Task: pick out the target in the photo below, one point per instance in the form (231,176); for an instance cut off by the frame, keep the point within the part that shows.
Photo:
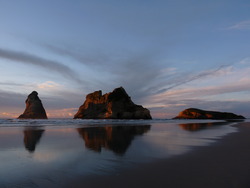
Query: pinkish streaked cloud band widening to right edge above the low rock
(226,80)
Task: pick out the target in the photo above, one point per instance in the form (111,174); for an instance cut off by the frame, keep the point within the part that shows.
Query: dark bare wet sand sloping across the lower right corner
(224,164)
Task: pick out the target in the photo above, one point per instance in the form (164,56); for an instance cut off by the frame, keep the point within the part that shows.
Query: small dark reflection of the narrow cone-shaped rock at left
(31,138)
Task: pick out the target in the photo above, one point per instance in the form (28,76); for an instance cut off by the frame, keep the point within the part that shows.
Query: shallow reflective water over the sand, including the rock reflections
(43,153)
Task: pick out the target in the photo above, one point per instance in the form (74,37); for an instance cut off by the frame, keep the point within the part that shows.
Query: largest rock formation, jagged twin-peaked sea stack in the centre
(113,105)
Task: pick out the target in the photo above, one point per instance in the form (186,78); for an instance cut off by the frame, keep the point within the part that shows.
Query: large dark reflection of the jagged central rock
(115,138)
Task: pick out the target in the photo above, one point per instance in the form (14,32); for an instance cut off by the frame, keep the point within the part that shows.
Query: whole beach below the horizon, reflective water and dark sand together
(135,154)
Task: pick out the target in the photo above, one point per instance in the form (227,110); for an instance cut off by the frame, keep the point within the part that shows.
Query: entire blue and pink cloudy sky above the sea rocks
(169,55)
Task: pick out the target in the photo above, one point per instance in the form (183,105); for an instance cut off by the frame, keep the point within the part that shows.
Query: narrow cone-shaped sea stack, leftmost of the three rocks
(34,108)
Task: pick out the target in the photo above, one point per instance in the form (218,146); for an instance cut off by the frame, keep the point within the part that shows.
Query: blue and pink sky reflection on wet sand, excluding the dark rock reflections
(61,153)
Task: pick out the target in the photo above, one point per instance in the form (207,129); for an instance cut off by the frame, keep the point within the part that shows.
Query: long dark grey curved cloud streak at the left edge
(50,65)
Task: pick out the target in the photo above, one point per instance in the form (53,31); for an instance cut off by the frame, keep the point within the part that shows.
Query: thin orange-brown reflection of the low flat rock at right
(199,126)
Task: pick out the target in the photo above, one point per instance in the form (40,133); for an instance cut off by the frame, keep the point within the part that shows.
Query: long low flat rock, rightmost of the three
(194,113)
